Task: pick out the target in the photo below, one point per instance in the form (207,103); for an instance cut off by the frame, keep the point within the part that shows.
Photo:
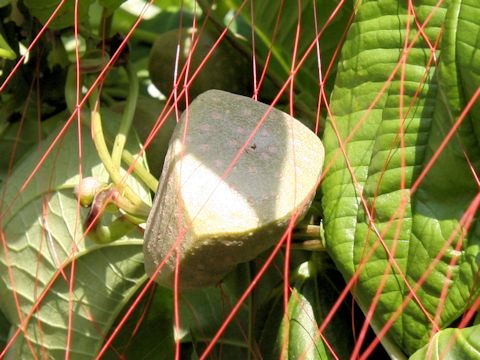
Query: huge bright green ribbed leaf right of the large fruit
(432,214)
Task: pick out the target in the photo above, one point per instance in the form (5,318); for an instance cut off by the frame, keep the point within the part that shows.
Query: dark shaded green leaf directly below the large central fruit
(202,312)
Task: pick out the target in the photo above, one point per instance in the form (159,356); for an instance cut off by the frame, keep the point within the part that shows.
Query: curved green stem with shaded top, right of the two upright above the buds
(127,116)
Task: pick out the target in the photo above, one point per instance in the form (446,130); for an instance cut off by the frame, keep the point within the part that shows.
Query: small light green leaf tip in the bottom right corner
(452,344)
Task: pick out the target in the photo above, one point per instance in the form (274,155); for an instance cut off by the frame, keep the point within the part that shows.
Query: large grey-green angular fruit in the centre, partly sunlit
(219,220)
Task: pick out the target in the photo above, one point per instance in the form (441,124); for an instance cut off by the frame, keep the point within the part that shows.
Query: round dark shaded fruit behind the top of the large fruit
(226,69)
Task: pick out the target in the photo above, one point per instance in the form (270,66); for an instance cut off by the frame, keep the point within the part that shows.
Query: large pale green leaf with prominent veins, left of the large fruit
(41,228)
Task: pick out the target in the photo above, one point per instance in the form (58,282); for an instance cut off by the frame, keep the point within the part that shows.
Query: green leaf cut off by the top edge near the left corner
(43,10)
